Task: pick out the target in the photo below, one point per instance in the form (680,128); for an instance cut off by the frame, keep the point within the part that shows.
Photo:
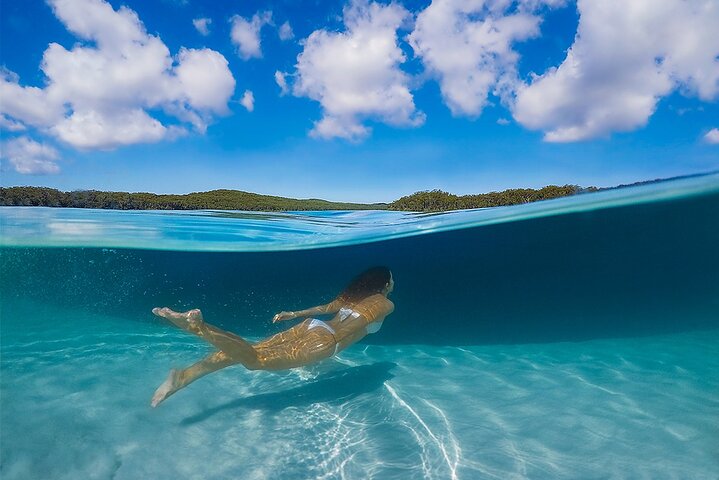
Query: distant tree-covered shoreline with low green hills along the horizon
(423,201)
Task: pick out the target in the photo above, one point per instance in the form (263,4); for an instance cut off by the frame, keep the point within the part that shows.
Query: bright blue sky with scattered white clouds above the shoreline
(379,99)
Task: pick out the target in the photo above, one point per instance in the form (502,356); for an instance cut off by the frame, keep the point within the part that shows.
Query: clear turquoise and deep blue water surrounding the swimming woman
(573,338)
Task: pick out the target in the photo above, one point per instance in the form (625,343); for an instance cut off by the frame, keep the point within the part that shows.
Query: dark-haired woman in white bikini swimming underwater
(359,310)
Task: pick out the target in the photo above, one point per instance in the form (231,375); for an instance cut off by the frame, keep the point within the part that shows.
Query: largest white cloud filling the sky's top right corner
(625,57)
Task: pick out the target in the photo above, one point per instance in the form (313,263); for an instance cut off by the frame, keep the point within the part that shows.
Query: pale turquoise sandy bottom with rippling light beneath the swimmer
(75,405)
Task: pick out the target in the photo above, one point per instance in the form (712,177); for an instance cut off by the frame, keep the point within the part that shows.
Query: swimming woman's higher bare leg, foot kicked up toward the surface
(236,347)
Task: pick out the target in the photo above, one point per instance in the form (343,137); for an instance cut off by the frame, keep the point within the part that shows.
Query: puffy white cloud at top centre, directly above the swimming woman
(355,74)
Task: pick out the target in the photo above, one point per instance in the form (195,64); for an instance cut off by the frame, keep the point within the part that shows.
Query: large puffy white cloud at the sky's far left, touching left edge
(104,91)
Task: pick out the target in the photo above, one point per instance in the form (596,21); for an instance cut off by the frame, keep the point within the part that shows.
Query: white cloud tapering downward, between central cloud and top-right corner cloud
(467,46)
